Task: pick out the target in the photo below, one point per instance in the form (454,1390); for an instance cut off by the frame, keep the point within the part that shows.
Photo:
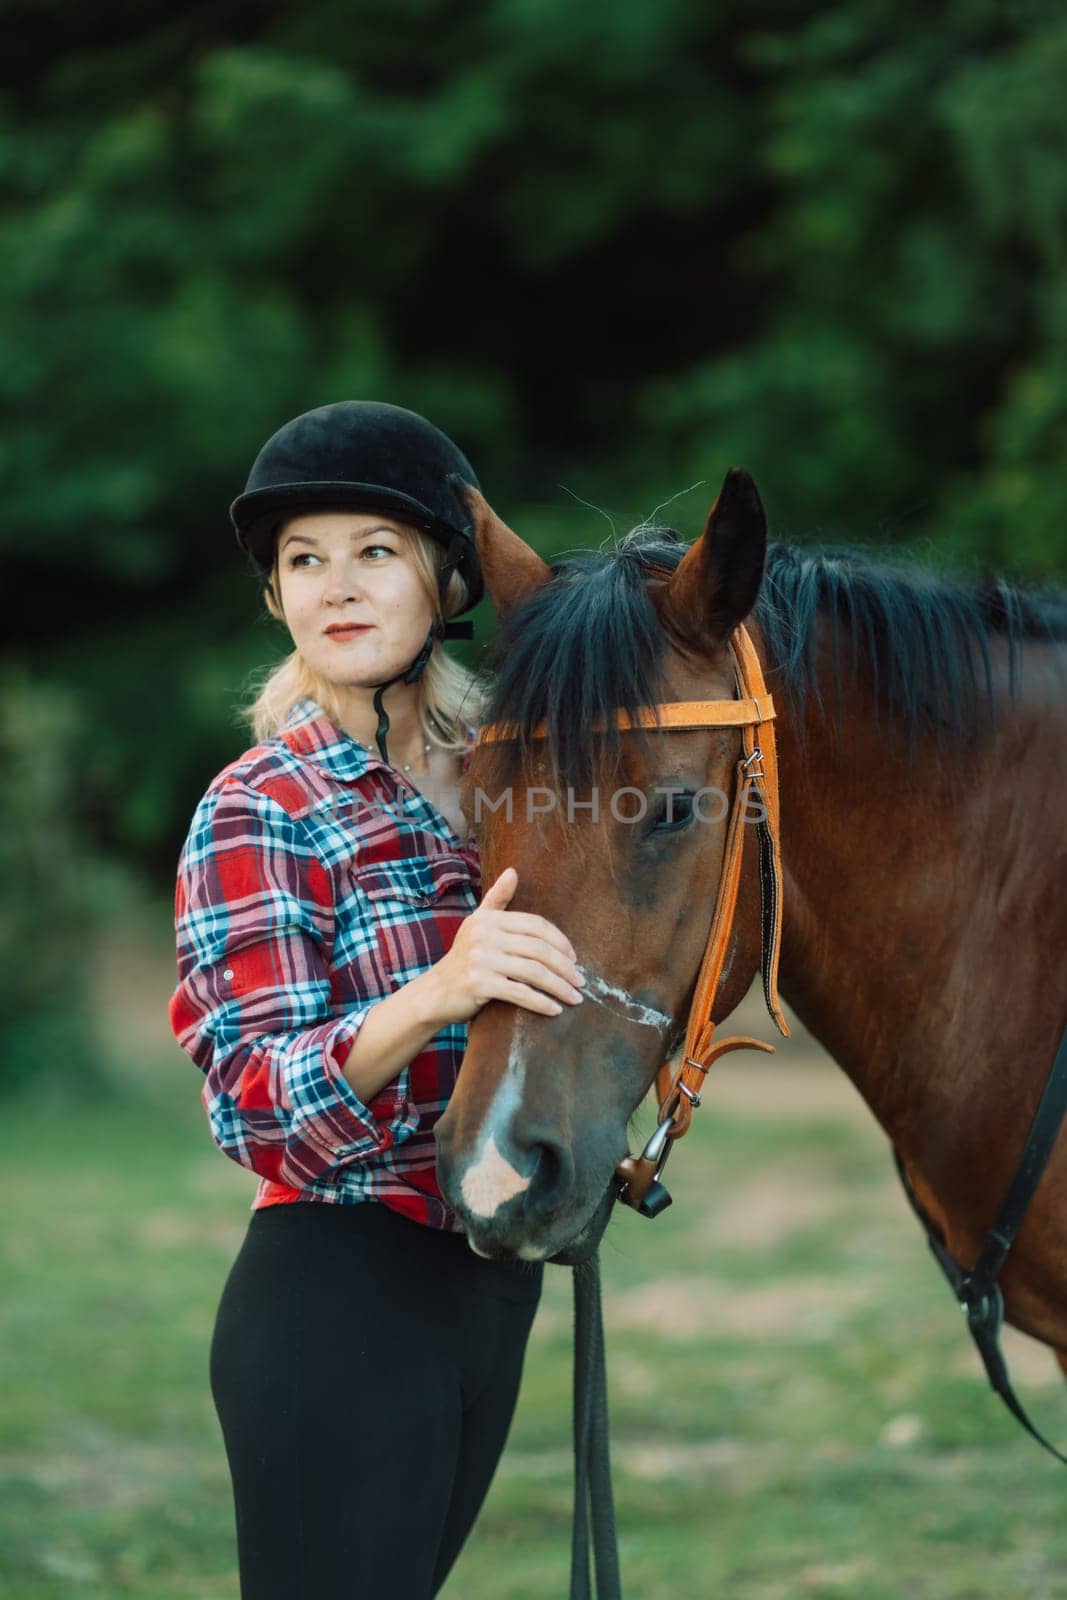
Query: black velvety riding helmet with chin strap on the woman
(362,455)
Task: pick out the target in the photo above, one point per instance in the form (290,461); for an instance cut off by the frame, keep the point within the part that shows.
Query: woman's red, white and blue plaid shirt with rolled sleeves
(314,882)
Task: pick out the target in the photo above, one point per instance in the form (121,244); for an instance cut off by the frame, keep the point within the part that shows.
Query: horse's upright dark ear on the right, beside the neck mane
(717,582)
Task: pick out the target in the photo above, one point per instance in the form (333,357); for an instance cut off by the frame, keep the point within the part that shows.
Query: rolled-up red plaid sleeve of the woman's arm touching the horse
(257,1006)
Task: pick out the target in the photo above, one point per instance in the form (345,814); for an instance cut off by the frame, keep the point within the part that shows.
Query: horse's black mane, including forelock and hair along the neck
(591,642)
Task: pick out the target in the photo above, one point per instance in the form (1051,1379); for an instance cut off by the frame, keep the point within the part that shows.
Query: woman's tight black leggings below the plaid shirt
(366,1372)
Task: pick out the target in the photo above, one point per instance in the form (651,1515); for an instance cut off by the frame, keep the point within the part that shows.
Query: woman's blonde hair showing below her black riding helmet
(449,697)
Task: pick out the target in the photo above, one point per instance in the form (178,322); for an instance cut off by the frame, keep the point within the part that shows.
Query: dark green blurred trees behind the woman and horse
(612,249)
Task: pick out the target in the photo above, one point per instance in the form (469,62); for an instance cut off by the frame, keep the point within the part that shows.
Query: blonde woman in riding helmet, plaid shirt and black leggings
(330,953)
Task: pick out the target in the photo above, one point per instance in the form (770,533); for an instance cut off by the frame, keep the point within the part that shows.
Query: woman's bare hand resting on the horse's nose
(506,956)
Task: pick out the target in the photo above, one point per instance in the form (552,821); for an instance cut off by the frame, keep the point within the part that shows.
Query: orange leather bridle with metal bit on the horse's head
(757,780)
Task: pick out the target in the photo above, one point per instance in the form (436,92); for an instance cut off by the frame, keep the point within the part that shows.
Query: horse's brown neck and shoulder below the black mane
(925,926)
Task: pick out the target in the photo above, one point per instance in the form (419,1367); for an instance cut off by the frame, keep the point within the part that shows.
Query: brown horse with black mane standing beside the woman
(922,737)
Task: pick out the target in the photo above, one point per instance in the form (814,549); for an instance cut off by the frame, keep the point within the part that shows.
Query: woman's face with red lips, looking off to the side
(340,567)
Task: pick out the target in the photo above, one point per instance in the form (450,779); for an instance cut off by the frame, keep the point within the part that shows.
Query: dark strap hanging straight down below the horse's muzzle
(594,1500)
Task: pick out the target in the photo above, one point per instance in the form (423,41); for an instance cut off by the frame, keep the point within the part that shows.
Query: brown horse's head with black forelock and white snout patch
(618,838)
